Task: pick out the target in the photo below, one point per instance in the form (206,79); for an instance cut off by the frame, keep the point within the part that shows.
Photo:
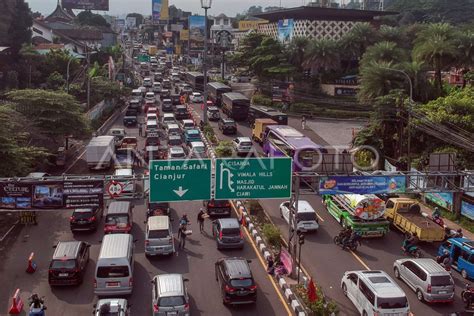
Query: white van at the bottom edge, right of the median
(374,293)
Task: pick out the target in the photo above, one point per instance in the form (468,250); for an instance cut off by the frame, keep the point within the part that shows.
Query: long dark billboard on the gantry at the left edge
(51,194)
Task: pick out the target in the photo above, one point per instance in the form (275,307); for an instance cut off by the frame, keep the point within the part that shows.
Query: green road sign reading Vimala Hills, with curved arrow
(253,178)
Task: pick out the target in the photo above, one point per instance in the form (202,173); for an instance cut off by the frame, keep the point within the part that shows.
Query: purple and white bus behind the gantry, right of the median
(285,141)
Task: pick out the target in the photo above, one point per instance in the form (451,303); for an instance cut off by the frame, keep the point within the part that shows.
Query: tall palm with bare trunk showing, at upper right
(436,44)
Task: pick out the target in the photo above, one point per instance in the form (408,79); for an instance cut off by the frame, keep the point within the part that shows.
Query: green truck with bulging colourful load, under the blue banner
(363,213)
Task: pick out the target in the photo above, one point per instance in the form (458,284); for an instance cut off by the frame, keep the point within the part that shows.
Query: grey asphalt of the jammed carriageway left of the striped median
(196,262)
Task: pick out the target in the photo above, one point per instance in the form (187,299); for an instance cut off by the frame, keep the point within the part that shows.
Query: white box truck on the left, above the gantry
(100,152)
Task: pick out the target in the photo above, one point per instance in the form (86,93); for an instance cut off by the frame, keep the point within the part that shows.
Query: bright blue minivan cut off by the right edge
(461,253)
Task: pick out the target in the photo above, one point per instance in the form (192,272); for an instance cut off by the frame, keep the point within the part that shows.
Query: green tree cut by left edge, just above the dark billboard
(18,157)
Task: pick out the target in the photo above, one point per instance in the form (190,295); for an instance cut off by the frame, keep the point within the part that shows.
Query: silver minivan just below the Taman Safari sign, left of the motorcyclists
(159,236)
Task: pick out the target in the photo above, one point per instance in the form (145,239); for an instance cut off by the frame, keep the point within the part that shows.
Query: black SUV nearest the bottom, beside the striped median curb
(236,281)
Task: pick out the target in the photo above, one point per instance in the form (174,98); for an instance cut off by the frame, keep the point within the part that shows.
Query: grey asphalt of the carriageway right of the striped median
(327,262)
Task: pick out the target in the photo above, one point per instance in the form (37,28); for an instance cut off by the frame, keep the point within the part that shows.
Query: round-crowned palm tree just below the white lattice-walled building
(322,55)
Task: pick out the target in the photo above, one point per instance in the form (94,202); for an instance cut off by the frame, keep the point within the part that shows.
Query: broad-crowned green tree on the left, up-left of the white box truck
(54,113)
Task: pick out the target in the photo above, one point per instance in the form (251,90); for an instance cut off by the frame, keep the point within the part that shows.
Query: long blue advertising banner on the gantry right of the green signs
(362,184)
